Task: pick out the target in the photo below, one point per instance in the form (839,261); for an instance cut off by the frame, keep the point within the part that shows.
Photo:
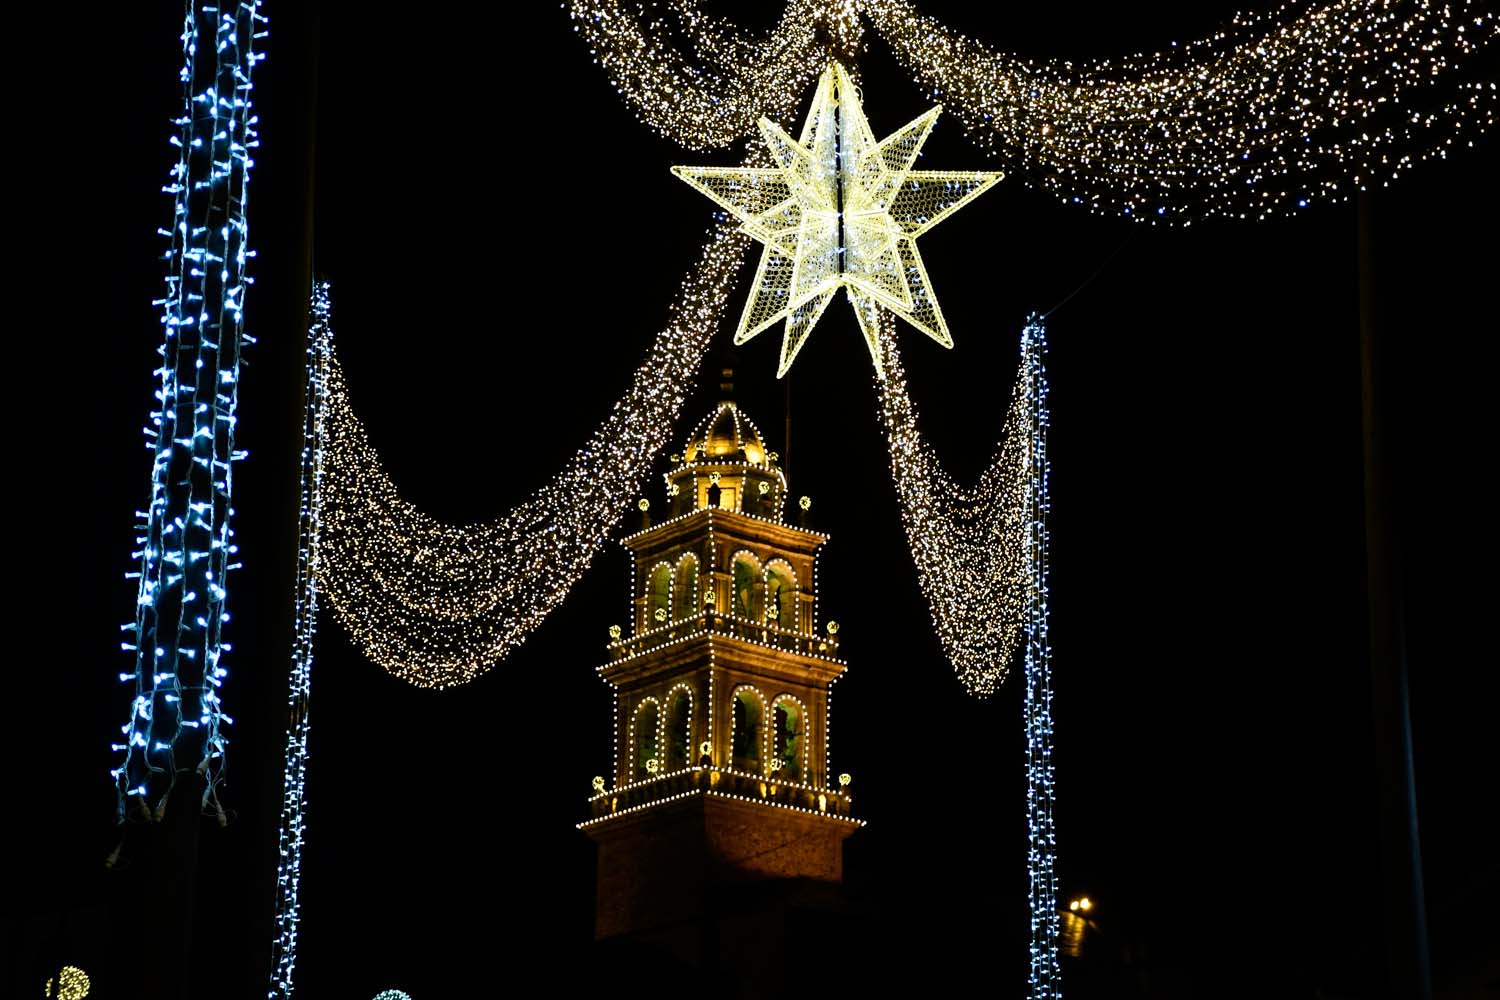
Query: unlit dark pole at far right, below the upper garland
(1400,848)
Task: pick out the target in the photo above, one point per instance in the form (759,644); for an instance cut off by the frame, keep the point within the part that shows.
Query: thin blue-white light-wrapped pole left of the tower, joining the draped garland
(299,692)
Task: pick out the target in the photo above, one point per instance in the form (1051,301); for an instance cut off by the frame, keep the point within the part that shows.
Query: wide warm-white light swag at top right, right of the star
(1265,118)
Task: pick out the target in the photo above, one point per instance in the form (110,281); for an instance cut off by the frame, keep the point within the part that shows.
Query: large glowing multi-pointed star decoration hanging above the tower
(841,211)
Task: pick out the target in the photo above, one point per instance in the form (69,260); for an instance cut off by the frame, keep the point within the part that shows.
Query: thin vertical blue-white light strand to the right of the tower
(1046,977)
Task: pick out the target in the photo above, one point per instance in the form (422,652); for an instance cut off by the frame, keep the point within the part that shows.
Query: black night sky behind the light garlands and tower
(503,242)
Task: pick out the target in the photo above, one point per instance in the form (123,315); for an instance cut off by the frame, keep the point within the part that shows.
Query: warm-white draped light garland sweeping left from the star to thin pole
(439,605)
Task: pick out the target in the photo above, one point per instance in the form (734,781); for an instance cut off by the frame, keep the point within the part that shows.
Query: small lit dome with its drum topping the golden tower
(725,466)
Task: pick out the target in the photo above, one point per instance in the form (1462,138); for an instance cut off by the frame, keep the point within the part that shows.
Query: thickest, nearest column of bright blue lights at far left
(185,546)
